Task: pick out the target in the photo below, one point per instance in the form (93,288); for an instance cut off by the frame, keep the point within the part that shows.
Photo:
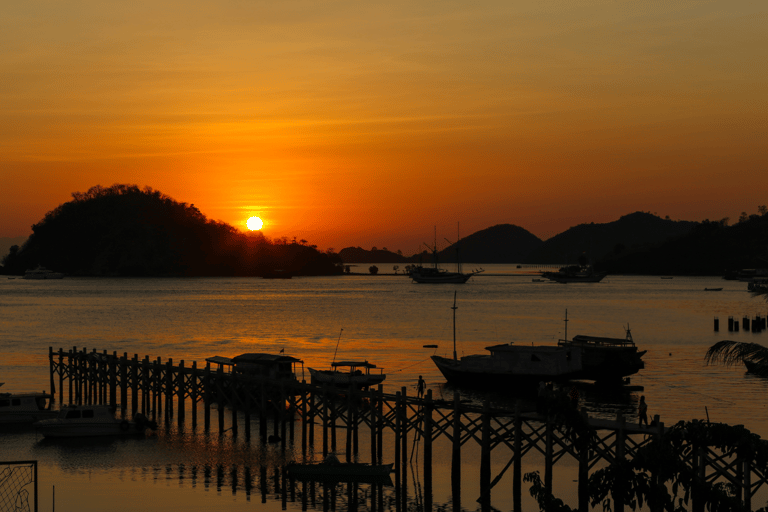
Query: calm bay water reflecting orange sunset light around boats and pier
(384,319)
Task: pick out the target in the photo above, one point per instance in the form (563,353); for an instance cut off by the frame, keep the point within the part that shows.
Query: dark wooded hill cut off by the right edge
(710,248)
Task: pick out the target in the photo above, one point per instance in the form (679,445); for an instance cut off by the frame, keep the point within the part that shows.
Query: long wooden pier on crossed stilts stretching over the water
(301,412)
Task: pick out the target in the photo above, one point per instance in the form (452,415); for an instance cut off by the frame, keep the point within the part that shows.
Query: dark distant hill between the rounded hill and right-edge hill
(596,241)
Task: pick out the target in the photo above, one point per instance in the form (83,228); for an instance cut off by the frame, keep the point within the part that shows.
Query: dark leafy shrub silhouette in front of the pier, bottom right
(657,476)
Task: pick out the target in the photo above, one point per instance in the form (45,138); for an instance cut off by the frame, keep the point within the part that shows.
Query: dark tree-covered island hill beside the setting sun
(126,231)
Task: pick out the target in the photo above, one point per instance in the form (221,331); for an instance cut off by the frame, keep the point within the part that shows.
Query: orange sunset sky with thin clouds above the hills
(370,123)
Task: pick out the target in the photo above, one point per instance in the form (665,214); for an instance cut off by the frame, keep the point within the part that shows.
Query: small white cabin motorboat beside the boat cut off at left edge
(92,421)
